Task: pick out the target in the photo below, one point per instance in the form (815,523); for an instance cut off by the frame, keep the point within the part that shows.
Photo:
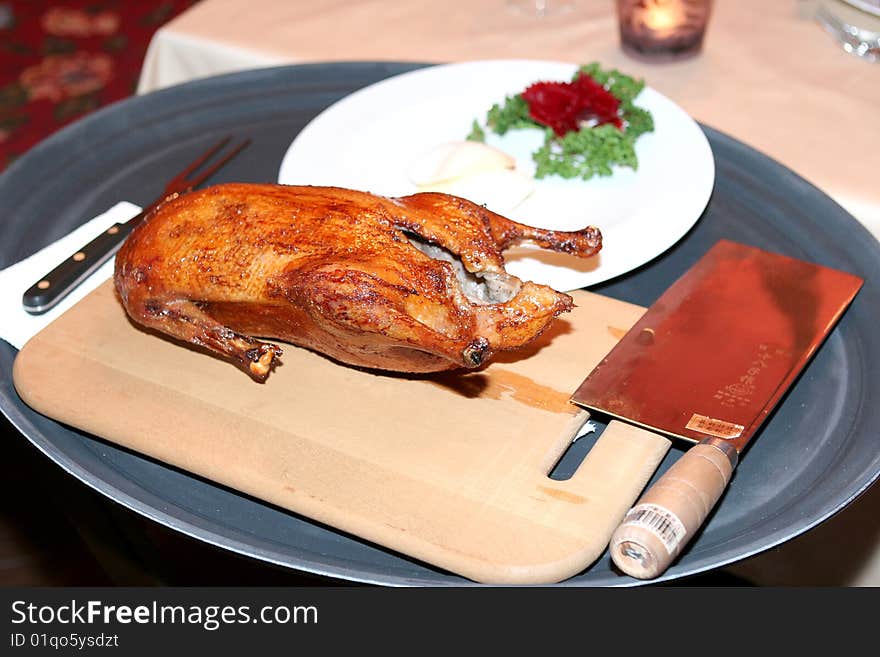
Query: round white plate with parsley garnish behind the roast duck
(369,139)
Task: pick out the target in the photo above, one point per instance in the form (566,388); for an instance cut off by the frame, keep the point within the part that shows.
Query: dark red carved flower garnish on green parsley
(564,106)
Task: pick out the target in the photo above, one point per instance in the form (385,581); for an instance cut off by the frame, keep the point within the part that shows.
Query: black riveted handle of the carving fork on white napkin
(58,283)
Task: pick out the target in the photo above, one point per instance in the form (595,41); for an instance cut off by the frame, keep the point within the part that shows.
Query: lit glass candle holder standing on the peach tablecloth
(662,29)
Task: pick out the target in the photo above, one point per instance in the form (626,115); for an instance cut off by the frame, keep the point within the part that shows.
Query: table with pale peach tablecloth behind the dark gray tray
(768,75)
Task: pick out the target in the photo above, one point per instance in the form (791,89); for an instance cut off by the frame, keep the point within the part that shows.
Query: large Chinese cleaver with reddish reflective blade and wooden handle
(707,362)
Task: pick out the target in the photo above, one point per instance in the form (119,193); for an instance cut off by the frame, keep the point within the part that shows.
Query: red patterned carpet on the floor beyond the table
(62,60)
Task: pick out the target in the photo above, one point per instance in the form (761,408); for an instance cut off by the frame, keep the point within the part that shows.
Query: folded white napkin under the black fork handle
(16,325)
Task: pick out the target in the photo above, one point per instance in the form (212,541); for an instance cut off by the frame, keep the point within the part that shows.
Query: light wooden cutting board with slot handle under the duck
(450,469)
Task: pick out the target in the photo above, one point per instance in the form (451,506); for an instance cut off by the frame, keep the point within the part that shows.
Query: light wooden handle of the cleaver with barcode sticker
(667,516)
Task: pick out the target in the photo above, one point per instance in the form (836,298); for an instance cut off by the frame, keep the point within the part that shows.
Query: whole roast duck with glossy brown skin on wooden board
(410,284)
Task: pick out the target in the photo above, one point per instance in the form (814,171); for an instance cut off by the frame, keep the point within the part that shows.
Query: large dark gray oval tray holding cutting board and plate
(818,451)
